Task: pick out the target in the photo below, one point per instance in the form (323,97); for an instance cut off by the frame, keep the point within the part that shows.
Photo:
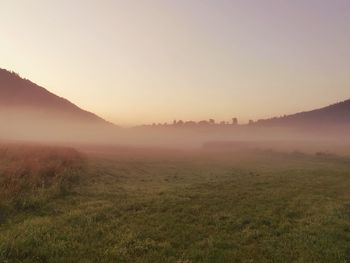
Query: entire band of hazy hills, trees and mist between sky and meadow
(30,112)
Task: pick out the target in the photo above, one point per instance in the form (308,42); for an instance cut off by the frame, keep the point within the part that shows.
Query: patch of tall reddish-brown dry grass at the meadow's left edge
(26,170)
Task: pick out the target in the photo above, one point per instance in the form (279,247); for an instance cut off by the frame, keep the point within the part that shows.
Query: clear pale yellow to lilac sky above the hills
(146,61)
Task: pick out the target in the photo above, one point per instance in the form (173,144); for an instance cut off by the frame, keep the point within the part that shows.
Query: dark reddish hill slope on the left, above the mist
(19,93)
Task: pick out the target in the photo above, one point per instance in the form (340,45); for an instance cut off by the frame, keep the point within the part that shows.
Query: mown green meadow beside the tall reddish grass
(254,206)
